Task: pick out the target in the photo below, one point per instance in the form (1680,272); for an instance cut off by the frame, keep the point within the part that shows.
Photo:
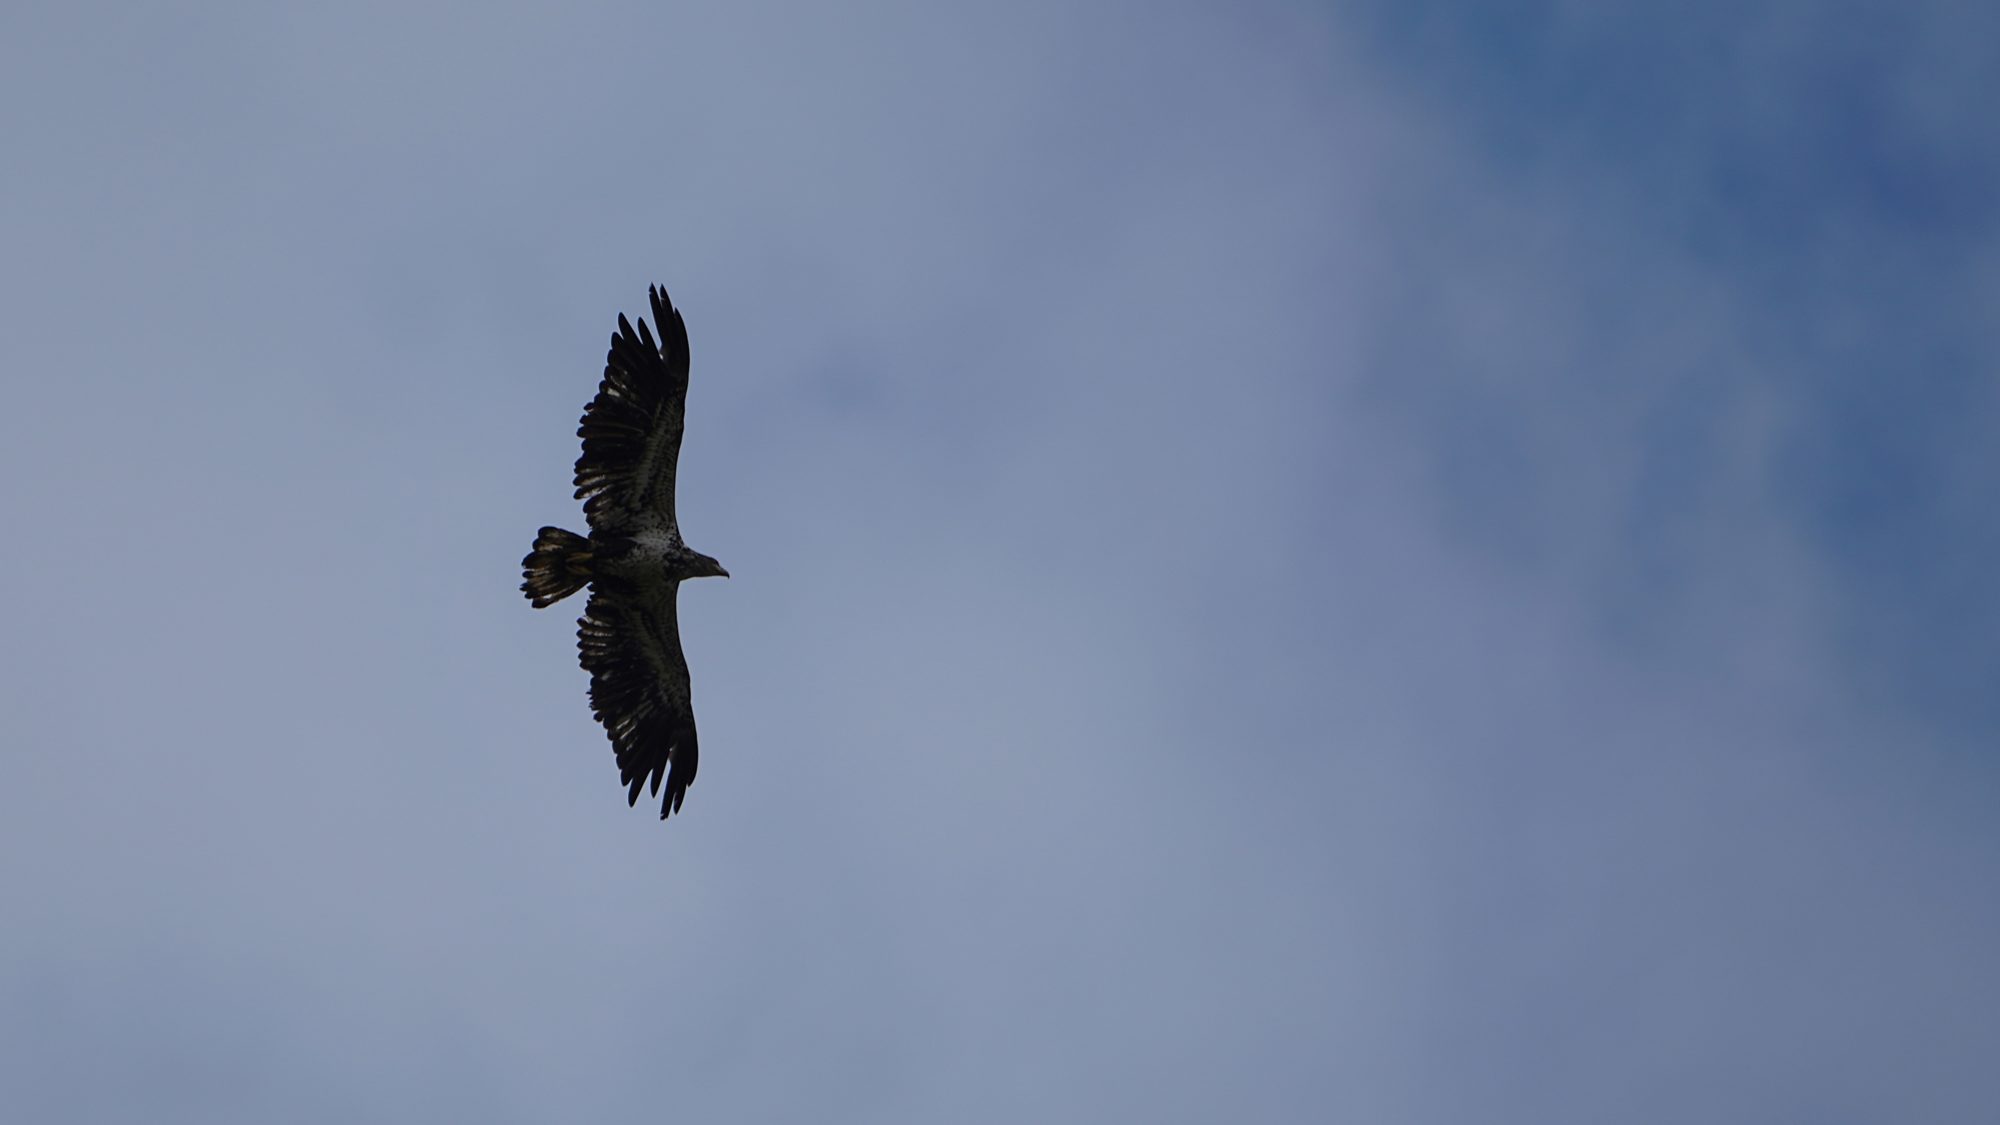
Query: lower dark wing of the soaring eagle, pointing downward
(629,642)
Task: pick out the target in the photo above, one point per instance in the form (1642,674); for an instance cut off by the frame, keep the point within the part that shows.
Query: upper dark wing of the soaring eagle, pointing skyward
(633,427)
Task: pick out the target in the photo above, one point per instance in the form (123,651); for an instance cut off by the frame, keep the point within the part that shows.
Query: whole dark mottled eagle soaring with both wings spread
(633,559)
